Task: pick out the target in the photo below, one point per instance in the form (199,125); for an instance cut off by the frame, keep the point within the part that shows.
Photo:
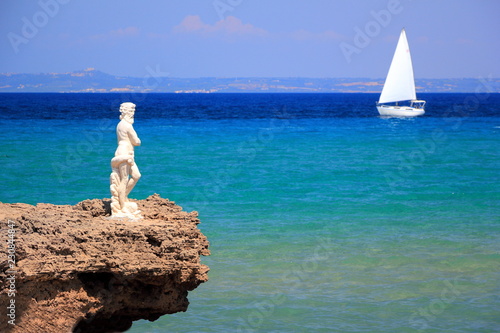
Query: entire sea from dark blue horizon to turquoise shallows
(322,216)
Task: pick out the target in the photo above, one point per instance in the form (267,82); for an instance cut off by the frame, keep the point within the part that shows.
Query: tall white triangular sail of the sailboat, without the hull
(399,84)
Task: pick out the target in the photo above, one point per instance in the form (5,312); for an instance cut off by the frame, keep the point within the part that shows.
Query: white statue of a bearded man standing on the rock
(125,172)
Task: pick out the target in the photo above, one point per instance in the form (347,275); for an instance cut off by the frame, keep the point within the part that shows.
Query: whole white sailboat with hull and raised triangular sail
(400,85)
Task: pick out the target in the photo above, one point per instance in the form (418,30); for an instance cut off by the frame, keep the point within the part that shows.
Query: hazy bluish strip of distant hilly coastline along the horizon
(91,80)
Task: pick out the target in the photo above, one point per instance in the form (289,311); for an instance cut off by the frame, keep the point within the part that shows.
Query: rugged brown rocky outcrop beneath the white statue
(77,271)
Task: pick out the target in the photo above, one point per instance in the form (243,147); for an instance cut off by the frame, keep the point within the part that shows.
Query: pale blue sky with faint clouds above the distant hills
(250,38)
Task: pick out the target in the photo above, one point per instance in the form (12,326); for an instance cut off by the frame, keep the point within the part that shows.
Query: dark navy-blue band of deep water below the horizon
(231,106)
